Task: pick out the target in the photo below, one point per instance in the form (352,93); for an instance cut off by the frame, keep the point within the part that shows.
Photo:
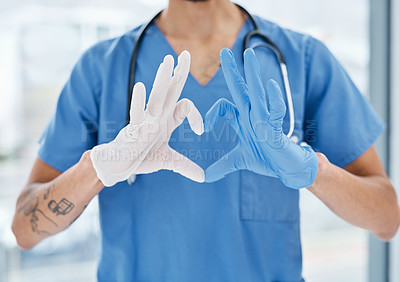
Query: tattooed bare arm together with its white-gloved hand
(51,201)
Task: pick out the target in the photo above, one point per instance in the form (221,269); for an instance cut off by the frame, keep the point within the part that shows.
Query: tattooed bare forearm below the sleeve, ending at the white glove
(44,209)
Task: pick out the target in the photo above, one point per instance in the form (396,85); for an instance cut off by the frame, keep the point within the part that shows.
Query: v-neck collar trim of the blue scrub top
(237,44)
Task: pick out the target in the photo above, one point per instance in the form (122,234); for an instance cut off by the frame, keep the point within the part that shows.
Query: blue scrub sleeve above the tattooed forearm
(73,128)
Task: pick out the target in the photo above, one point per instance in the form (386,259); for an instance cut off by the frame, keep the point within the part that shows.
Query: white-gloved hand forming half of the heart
(142,146)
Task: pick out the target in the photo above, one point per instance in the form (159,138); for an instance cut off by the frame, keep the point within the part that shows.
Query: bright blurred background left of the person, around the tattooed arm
(39,45)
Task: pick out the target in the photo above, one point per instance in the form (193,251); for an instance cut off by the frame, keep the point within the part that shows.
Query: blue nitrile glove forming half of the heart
(262,146)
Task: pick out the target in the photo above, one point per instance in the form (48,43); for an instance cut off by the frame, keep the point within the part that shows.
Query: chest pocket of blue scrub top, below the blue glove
(265,198)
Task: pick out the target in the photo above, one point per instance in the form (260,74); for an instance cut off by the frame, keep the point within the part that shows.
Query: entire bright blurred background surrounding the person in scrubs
(41,40)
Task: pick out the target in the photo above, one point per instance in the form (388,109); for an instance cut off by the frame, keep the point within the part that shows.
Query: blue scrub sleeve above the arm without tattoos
(339,121)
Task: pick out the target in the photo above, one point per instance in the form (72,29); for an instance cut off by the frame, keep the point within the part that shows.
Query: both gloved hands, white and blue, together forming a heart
(142,146)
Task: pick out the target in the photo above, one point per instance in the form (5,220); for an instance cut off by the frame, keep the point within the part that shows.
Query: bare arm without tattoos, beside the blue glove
(361,193)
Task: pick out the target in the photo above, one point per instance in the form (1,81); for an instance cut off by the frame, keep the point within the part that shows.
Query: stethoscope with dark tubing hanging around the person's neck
(267,42)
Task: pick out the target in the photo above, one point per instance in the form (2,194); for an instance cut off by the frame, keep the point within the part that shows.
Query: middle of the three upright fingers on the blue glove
(256,88)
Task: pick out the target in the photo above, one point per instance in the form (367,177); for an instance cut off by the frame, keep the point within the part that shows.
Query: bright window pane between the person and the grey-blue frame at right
(333,250)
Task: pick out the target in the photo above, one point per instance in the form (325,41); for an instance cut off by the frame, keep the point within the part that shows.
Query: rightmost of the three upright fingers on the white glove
(178,80)
